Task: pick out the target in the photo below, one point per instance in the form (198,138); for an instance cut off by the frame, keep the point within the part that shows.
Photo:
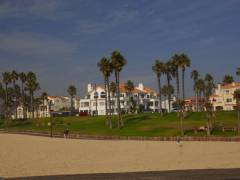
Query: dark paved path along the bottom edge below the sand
(218,174)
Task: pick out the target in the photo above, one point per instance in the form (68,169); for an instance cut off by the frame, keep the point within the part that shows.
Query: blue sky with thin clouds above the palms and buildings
(62,41)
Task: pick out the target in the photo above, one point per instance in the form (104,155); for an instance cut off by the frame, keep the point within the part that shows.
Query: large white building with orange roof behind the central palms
(145,98)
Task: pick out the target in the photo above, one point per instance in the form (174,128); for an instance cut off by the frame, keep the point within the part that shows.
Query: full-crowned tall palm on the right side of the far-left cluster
(32,85)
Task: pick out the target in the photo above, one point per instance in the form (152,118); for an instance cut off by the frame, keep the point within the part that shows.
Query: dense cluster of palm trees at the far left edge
(18,89)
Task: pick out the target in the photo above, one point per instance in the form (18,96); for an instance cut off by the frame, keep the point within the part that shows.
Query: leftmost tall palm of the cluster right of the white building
(158,69)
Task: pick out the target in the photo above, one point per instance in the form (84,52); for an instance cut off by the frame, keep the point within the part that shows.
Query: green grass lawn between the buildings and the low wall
(135,125)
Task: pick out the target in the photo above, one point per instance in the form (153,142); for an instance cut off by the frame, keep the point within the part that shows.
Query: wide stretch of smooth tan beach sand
(22,155)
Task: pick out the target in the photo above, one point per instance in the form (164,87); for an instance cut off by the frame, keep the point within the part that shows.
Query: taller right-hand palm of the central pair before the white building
(118,61)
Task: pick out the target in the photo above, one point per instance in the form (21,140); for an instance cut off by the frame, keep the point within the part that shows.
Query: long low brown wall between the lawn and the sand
(139,138)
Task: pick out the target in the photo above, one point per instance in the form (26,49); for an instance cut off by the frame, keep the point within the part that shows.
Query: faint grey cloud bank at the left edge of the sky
(35,45)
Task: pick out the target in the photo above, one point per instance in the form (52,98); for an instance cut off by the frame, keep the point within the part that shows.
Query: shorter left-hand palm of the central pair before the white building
(105,68)
